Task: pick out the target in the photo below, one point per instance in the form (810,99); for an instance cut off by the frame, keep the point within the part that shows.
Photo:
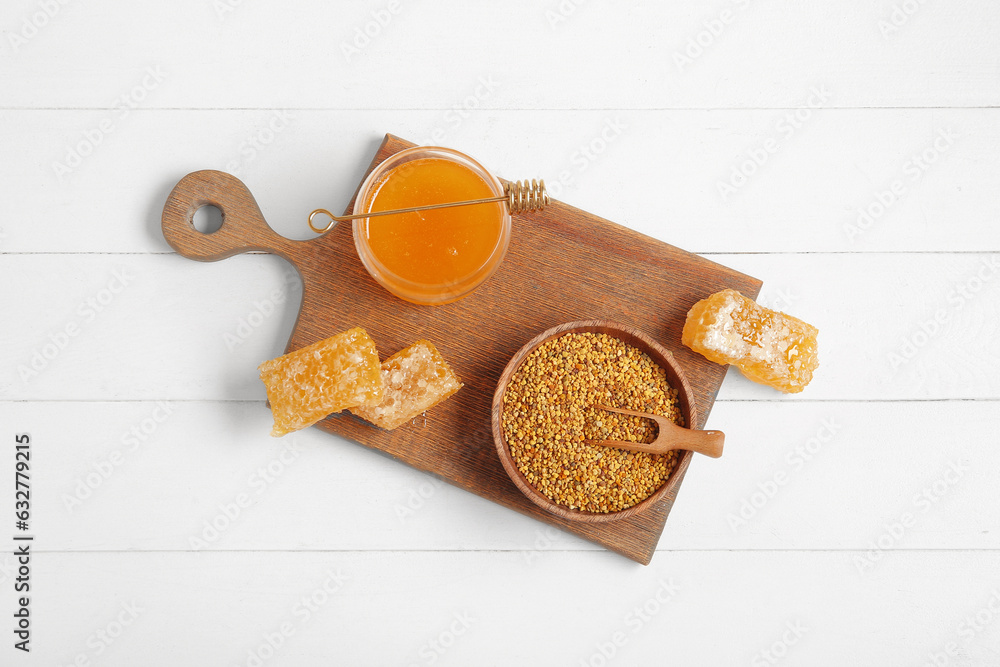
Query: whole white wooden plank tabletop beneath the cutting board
(845,153)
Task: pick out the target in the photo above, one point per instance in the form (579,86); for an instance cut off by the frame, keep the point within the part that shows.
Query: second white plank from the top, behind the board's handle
(604,161)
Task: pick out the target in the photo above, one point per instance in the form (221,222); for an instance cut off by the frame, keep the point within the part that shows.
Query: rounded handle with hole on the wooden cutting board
(243,226)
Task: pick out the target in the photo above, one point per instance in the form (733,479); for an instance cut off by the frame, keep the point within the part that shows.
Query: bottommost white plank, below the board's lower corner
(461,608)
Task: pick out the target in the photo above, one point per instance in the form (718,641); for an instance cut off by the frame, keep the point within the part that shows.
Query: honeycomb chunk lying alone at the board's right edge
(769,347)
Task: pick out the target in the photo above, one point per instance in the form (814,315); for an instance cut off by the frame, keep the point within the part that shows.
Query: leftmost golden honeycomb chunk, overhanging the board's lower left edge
(308,384)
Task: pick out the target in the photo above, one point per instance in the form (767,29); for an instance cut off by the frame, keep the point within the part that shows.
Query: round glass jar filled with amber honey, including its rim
(434,256)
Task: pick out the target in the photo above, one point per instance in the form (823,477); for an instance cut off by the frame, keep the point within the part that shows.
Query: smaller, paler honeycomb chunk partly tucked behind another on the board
(416,379)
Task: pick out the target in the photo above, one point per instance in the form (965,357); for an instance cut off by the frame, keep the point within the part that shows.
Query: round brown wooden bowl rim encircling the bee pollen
(635,338)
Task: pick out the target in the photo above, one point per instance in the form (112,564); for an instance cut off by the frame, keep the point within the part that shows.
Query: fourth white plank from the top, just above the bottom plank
(169,475)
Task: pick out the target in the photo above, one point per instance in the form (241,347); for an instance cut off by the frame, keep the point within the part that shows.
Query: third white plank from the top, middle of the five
(893,326)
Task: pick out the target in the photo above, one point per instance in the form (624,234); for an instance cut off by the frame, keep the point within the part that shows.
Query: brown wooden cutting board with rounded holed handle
(563,264)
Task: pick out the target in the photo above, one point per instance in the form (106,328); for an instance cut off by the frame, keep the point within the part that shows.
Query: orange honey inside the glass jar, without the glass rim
(446,247)
